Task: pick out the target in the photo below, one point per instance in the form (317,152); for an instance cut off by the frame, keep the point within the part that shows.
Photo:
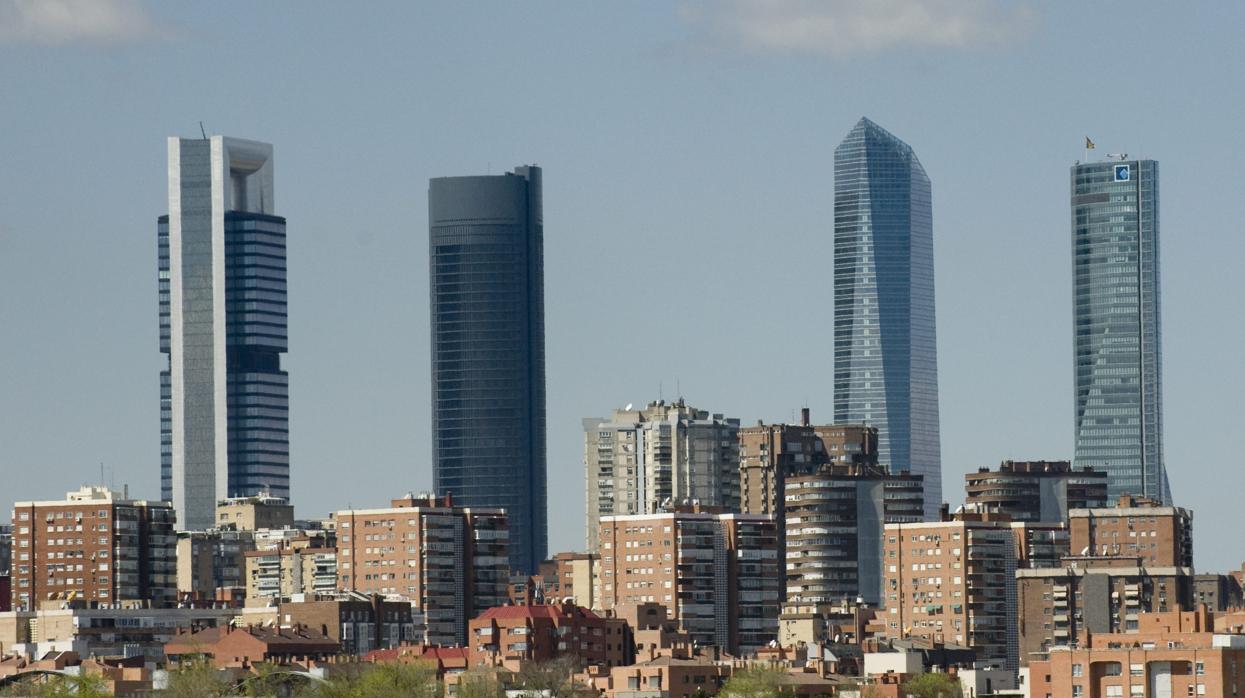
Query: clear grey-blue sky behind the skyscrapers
(688,154)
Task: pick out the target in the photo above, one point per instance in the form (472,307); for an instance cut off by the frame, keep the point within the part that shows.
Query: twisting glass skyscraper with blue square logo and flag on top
(1117,340)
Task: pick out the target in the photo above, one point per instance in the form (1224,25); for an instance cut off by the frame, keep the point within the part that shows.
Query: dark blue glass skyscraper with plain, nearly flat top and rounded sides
(486,249)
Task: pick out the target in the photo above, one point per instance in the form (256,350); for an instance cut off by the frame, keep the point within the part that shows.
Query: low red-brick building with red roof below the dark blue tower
(511,636)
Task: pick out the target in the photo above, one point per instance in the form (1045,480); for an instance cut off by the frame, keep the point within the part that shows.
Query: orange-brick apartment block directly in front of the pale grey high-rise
(718,574)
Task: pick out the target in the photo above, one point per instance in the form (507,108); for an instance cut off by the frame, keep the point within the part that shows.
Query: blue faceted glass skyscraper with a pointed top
(886,359)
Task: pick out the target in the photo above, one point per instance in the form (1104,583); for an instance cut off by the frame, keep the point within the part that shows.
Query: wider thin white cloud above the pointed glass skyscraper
(840,28)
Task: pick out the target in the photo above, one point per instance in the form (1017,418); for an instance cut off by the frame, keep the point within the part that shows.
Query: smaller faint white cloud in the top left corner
(75,22)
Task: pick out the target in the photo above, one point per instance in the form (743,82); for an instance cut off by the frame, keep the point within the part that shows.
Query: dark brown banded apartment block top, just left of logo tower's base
(1036,491)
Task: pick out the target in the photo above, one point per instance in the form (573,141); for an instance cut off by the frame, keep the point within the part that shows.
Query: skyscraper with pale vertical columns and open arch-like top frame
(225,399)
